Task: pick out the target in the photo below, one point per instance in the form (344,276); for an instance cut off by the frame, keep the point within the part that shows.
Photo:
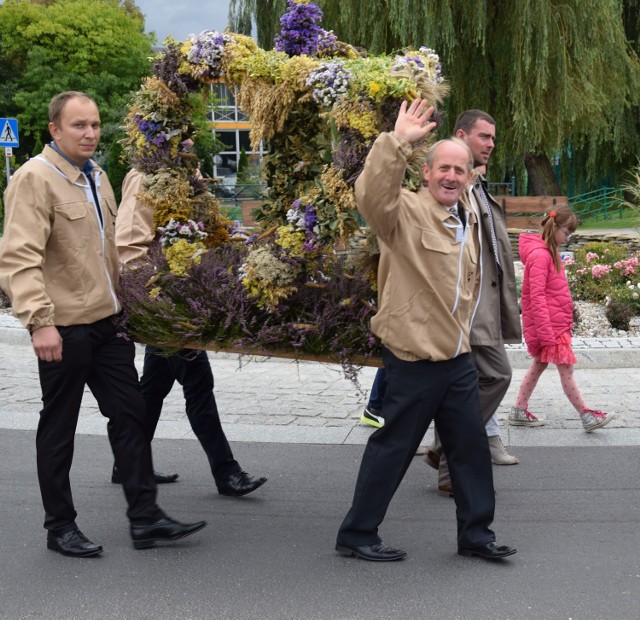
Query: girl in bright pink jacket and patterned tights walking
(547,318)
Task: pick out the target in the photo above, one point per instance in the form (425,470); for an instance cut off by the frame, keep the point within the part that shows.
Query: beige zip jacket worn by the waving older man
(427,277)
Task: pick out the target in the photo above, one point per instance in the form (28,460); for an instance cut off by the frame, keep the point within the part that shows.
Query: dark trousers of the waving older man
(417,393)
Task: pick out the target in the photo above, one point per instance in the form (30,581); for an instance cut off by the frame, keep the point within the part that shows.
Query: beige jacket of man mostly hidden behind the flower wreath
(134,224)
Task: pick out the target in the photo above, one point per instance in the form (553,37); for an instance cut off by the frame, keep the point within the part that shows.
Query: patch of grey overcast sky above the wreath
(180,18)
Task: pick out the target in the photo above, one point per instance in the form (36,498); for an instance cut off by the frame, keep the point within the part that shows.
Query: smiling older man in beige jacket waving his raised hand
(427,281)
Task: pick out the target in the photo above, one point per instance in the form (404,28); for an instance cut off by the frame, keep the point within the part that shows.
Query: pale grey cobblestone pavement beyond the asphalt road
(280,400)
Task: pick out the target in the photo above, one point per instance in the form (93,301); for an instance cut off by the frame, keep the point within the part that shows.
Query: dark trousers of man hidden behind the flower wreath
(193,371)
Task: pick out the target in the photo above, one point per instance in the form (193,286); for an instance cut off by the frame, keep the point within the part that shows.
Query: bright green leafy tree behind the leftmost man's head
(51,46)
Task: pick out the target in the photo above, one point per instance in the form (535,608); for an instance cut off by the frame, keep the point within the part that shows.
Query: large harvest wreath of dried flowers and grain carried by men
(283,289)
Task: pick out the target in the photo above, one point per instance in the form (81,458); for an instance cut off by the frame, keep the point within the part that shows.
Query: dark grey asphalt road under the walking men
(571,512)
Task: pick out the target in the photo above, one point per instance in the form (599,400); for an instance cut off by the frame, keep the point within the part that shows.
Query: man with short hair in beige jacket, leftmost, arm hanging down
(59,267)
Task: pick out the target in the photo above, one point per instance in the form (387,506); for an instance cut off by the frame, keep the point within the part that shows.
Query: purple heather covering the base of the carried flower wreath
(211,308)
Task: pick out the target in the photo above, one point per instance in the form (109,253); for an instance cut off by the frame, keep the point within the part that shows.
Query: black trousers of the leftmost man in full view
(95,356)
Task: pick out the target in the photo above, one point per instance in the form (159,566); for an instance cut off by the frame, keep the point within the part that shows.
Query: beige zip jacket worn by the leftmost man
(58,264)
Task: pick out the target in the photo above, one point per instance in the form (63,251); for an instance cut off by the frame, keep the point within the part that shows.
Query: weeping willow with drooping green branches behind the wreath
(561,77)
